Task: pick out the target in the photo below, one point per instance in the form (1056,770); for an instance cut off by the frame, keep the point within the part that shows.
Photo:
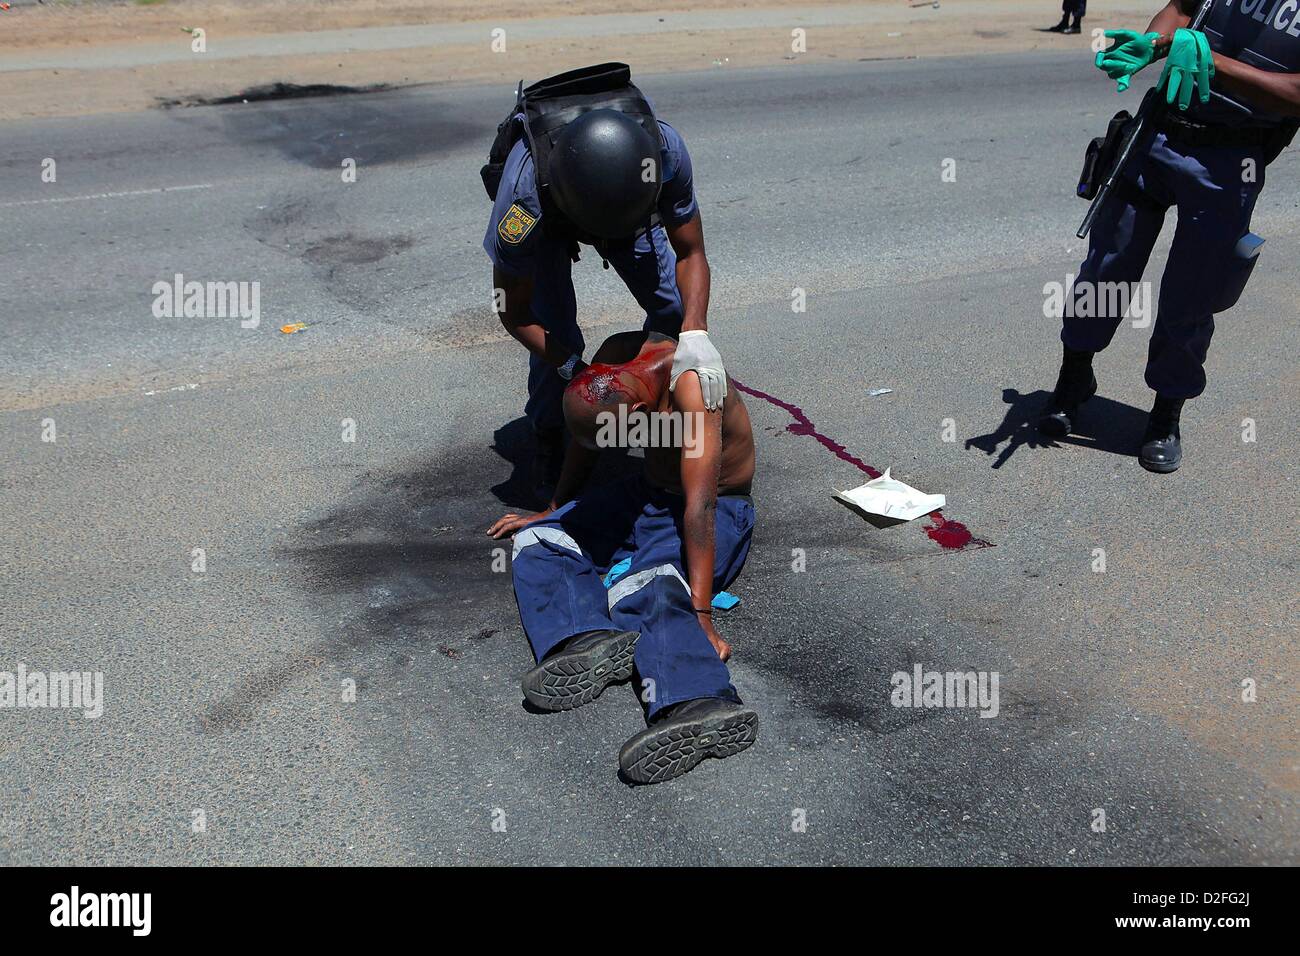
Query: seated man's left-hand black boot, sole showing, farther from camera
(580,669)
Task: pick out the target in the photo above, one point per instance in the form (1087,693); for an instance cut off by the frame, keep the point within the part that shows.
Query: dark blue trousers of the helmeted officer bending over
(648,267)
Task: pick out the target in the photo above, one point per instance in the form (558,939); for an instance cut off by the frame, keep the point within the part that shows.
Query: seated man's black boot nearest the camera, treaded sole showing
(683,736)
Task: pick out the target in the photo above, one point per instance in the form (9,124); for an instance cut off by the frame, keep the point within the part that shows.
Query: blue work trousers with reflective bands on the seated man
(560,564)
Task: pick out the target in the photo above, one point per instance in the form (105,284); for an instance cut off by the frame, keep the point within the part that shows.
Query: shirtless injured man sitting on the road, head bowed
(684,525)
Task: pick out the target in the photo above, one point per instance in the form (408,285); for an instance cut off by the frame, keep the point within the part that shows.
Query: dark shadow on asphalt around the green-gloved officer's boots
(1103,425)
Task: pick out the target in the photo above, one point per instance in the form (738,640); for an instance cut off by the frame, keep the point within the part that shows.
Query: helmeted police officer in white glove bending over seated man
(583,159)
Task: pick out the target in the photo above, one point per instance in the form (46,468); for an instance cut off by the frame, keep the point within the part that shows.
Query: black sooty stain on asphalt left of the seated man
(402,573)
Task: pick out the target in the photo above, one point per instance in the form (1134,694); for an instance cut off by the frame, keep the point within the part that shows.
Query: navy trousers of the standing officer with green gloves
(1215,191)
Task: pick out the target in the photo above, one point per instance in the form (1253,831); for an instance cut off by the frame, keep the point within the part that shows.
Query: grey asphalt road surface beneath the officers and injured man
(226,737)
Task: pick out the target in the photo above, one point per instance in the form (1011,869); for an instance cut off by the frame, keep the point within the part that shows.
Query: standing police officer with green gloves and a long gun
(1207,158)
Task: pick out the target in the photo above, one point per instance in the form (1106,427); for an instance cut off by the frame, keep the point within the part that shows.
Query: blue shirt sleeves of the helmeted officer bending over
(515,228)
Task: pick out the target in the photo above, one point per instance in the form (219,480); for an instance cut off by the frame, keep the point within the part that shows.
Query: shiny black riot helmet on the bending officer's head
(605,174)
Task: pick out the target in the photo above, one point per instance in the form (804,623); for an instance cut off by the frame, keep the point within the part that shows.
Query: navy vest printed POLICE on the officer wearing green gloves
(1264,34)
